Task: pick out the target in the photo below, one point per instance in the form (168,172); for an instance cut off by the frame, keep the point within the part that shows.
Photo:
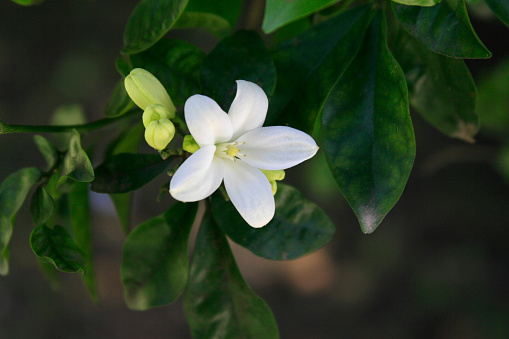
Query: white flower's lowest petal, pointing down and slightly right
(250,192)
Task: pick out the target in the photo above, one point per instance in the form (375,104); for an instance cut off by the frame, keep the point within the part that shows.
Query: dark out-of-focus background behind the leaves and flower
(437,267)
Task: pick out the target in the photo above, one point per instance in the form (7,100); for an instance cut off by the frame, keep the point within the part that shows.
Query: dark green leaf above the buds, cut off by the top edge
(150,20)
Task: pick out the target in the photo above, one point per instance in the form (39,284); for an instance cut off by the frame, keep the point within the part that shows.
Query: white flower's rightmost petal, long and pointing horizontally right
(276,147)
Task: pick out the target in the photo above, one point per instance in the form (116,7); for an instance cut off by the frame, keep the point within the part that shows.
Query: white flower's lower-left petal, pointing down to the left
(198,177)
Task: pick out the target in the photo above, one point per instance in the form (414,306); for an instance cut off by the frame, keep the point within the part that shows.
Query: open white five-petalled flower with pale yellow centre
(234,147)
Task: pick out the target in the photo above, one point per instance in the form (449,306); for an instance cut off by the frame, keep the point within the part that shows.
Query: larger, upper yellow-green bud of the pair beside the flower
(145,90)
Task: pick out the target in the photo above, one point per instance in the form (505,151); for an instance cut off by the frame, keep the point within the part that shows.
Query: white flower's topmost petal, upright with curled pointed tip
(248,109)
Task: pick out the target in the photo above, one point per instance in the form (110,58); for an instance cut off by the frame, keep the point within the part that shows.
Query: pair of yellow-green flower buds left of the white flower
(150,95)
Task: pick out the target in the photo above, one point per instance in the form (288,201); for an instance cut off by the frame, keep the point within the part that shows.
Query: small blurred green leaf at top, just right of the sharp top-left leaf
(208,21)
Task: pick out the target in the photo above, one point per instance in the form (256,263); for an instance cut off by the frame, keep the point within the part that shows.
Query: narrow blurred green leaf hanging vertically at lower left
(79,212)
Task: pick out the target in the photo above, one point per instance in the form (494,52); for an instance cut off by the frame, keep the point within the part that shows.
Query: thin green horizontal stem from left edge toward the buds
(7,128)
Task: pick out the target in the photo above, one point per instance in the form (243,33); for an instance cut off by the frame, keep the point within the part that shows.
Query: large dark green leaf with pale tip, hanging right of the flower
(368,136)
